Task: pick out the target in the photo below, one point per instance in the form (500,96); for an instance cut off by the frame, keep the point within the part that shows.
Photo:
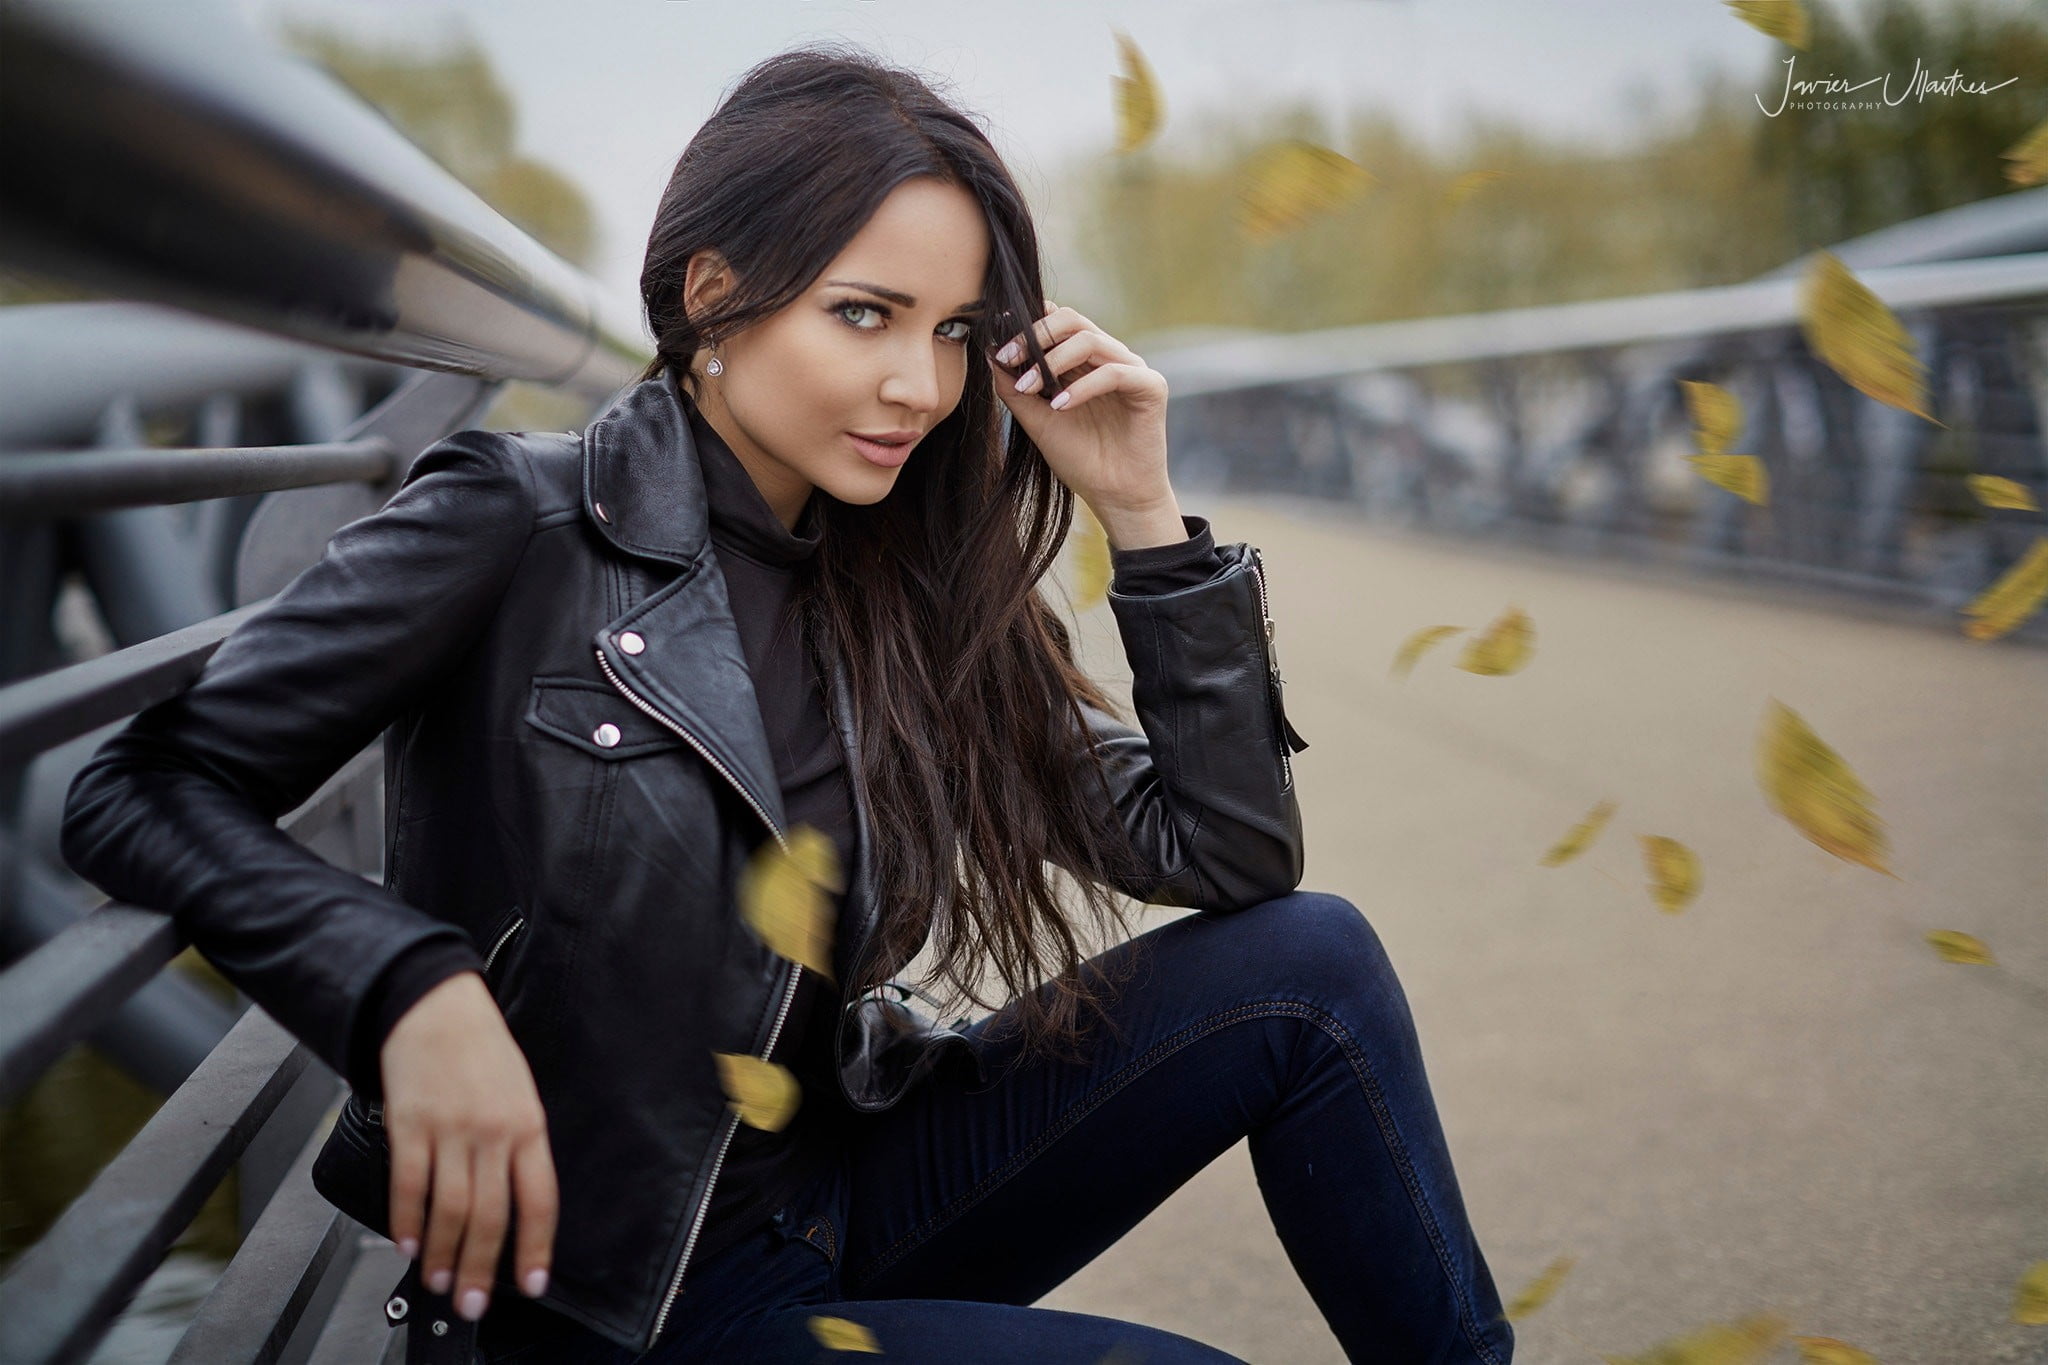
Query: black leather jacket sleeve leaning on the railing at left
(179,809)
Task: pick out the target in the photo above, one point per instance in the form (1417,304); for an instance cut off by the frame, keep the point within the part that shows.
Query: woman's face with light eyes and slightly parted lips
(880,345)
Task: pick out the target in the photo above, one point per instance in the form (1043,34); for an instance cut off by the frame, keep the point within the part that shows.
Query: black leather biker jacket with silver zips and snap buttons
(574,775)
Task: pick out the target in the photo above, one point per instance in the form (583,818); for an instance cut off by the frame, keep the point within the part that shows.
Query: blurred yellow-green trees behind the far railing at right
(1713,195)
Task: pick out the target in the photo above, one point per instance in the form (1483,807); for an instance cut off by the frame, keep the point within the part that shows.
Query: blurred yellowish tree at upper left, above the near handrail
(456,109)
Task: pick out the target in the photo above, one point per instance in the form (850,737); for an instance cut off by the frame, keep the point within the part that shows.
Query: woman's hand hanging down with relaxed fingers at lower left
(464,1120)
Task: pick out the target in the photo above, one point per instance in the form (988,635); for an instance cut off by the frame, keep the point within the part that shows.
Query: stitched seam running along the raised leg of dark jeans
(1132,1071)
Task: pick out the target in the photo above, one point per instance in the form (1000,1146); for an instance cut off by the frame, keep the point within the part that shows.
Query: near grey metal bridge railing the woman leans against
(318,304)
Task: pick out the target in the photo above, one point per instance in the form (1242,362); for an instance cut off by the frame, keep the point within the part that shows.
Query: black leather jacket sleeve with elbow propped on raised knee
(1205,783)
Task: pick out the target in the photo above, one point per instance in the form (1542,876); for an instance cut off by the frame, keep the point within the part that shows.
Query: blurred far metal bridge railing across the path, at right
(1566,427)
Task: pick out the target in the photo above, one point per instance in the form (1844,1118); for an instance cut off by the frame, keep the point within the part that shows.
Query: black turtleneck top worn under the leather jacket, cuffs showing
(761,562)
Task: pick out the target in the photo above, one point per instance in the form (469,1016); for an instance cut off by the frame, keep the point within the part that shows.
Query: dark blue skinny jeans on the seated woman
(953,1213)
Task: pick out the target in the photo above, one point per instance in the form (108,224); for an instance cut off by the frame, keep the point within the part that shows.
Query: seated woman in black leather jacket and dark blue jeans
(790,580)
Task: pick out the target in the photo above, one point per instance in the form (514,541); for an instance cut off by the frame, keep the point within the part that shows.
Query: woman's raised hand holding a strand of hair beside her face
(1107,441)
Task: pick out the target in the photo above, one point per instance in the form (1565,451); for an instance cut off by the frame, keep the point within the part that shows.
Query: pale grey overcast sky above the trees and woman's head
(611,91)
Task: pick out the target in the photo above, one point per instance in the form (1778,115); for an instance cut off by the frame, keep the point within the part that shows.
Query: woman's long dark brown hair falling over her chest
(964,676)
